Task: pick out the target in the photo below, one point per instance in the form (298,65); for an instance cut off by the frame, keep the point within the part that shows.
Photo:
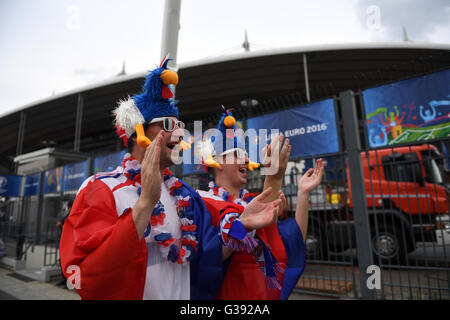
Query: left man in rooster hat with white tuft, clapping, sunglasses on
(138,232)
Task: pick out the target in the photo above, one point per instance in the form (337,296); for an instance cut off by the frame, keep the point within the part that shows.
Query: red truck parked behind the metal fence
(407,203)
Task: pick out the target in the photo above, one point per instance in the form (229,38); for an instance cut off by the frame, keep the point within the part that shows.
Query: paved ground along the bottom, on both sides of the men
(397,284)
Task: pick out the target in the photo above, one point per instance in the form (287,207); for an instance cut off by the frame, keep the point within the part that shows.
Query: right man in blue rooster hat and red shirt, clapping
(266,263)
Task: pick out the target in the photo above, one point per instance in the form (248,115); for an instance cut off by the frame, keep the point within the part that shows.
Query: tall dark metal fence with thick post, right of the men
(378,224)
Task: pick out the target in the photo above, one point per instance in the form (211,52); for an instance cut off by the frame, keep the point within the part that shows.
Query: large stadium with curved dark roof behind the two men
(77,126)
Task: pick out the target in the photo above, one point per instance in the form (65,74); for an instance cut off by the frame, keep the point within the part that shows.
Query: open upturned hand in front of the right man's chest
(258,214)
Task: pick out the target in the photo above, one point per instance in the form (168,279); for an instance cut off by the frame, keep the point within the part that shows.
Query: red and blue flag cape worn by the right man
(243,278)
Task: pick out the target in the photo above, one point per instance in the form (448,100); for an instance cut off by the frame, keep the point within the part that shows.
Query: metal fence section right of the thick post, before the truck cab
(408,202)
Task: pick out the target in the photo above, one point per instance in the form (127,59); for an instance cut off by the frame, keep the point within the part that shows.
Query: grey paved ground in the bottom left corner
(22,288)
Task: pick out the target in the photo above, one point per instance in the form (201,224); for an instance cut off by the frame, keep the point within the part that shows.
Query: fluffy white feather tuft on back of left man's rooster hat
(127,115)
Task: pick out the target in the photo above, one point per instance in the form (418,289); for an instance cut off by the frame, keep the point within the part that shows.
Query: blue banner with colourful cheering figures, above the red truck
(407,111)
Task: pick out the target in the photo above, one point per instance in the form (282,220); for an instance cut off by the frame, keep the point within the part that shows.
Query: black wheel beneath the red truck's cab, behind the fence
(388,246)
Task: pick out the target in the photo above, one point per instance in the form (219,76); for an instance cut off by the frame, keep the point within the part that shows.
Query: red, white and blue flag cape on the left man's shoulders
(100,238)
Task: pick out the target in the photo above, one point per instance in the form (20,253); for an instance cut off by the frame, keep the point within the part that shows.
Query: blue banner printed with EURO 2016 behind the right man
(310,128)
